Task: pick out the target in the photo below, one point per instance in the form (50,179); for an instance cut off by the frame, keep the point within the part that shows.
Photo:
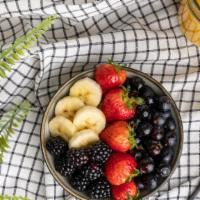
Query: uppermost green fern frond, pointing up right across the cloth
(18,49)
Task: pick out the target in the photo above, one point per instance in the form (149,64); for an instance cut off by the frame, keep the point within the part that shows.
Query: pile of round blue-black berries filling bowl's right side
(155,132)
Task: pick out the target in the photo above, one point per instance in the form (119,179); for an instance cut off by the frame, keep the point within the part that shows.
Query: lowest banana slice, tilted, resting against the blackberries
(83,139)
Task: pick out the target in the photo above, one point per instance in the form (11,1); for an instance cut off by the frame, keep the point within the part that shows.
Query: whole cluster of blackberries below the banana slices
(83,167)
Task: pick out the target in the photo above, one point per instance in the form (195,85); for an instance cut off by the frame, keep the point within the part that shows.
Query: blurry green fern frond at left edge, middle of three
(9,121)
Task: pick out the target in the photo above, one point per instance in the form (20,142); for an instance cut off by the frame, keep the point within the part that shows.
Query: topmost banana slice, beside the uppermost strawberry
(88,90)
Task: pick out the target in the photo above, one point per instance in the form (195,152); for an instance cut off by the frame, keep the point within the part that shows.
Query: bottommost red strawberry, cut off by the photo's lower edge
(125,191)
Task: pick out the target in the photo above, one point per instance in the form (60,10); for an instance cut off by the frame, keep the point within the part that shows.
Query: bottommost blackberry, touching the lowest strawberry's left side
(99,189)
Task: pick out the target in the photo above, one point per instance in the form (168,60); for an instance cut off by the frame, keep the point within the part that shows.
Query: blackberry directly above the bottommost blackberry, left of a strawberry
(91,171)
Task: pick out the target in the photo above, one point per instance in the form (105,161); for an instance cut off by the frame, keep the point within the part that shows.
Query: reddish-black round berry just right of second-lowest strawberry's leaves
(146,165)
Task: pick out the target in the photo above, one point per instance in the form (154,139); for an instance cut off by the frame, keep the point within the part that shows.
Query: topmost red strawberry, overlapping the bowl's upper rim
(110,76)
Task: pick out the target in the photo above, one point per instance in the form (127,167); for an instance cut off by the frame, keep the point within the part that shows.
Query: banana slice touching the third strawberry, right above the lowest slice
(89,117)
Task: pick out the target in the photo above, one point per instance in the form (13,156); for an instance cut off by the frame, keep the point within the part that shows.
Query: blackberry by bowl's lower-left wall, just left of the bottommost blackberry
(79,183)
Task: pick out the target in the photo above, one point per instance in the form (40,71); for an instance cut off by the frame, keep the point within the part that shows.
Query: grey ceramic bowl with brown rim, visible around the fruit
(44,134)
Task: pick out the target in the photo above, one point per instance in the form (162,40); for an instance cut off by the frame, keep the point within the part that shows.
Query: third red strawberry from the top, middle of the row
(118,136)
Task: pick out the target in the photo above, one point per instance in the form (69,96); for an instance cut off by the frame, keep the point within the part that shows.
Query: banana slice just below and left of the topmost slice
(68,106)
